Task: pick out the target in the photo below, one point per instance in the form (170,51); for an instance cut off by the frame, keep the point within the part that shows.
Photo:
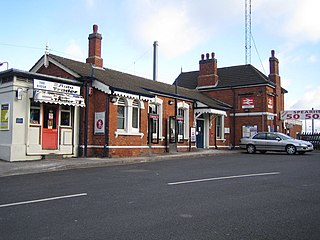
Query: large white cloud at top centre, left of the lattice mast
(179,26)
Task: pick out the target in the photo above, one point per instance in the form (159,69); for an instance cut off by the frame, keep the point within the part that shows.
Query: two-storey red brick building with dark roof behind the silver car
(256,99)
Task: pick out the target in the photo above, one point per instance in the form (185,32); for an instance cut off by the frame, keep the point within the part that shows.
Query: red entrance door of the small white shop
(50,130)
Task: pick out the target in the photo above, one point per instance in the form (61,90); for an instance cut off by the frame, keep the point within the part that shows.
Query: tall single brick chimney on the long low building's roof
(94,56)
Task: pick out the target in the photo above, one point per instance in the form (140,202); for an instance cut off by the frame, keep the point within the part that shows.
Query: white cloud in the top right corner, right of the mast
(295,20)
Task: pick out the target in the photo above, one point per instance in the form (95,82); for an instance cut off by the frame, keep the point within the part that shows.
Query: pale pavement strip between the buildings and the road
(51,165)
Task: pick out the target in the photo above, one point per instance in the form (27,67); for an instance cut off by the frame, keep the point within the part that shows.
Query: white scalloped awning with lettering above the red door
(58,98)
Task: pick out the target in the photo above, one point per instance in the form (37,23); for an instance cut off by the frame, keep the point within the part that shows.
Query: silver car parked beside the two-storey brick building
(275,141)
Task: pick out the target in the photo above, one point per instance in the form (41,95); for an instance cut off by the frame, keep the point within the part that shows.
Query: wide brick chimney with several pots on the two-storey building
(208,74)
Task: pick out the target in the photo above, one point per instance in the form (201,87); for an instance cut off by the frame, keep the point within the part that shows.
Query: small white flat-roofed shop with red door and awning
(39,116)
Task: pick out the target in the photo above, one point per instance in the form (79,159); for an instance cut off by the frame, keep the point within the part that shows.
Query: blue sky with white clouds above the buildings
(184,29)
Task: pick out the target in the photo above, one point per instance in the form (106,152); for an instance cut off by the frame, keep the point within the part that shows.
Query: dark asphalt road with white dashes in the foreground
(236,196)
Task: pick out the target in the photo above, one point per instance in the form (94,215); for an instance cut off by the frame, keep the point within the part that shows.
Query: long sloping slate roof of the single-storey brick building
(119,81)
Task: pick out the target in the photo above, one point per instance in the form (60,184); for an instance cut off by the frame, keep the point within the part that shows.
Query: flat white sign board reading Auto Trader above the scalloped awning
(56,87)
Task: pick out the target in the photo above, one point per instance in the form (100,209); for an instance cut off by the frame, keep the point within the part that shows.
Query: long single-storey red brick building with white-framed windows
(126,115)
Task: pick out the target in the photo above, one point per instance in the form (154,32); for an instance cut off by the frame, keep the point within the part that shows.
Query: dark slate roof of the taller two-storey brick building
(234,76)
